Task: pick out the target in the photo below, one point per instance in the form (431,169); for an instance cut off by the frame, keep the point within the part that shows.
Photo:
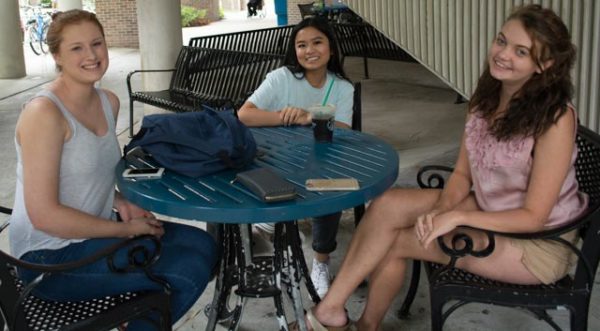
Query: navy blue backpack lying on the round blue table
(196,144)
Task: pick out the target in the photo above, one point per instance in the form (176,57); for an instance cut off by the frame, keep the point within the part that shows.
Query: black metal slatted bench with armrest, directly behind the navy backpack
(205,76)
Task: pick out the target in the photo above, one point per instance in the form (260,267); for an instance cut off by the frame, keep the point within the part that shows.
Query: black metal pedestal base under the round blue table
(249,276)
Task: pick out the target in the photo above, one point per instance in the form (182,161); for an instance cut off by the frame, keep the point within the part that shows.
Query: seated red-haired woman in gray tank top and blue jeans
(67,150)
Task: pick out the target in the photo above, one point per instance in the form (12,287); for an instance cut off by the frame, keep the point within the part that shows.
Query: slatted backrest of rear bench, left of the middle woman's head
(267,41)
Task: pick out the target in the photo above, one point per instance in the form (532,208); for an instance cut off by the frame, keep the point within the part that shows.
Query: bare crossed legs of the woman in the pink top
(385,239)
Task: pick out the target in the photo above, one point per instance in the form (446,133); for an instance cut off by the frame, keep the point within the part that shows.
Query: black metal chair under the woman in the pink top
(573,292)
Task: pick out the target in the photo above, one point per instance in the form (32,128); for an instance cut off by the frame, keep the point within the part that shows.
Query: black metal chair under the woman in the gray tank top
(22,311)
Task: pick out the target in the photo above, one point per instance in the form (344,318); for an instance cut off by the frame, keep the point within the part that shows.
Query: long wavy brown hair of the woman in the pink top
(545,96)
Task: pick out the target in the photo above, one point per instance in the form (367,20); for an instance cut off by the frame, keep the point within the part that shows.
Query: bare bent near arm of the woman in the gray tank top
(41,132)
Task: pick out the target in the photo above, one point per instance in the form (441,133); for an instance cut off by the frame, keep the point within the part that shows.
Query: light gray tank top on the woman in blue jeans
(87,179)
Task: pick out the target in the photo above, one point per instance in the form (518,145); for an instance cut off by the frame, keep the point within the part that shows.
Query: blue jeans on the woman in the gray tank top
(187,259)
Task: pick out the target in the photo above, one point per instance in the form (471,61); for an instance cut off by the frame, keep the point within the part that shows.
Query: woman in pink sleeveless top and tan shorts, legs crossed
(515,173)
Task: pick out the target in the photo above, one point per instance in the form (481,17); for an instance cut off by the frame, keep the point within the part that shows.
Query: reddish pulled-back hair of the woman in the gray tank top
(61,20)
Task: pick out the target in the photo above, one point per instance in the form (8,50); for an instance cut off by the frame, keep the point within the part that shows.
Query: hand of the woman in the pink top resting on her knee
(434,224)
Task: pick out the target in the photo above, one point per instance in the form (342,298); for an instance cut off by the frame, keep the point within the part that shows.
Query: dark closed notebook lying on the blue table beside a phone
(267,185)
